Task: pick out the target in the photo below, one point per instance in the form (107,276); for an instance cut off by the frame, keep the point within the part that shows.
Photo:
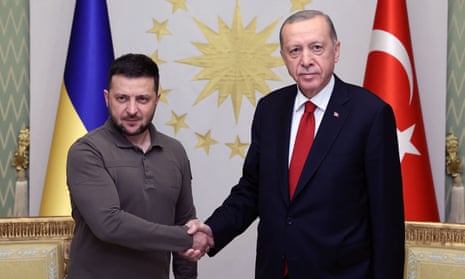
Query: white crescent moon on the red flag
(388,43)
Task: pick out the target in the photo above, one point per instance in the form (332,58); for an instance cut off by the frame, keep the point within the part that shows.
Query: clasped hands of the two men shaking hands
(202,240)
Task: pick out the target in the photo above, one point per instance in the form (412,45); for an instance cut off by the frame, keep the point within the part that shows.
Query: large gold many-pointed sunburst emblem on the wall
(236,61)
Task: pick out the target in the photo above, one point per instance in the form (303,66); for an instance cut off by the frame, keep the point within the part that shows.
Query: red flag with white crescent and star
(390,73)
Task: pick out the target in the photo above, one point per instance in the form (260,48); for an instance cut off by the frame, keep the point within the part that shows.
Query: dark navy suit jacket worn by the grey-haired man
(346,218)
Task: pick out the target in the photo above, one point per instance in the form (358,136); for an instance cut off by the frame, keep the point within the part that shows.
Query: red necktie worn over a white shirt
(302,145)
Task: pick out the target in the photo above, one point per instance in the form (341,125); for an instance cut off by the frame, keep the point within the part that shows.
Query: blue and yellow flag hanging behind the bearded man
(82,106)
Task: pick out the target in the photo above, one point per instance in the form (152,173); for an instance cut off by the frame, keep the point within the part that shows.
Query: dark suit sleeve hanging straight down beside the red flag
(384,182)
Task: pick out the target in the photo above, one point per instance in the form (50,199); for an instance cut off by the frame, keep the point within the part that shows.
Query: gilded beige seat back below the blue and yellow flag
(35,247)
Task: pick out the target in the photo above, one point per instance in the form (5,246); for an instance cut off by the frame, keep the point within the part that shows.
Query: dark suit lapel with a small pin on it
(333,119)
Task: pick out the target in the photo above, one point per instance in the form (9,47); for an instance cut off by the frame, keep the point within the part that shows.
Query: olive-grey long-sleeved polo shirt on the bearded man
(130,207)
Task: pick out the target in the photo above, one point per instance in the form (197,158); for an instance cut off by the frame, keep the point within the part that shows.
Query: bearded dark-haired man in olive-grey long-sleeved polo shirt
(130,187)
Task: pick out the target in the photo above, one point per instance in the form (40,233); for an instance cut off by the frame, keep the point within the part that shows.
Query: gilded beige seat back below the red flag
(434,250)
